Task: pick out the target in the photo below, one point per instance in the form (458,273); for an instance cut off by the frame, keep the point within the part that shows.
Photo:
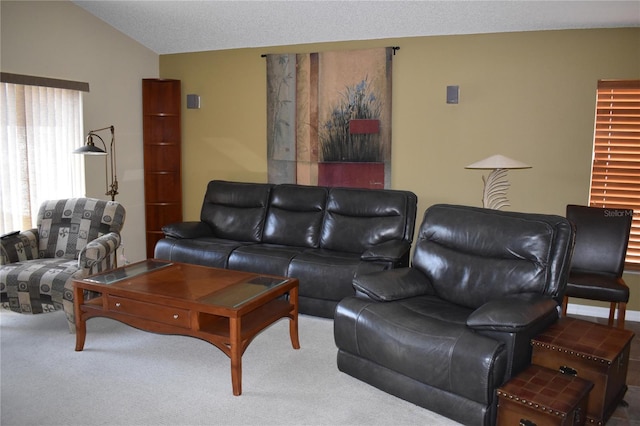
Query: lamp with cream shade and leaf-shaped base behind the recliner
(494,195)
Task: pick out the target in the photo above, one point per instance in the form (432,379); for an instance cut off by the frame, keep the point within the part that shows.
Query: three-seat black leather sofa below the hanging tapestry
(323,236)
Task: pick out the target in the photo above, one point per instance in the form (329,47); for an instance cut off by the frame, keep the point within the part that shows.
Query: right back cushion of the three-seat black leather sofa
(357,219)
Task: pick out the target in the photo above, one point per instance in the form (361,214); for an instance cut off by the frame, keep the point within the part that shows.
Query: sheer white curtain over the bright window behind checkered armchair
(41,126)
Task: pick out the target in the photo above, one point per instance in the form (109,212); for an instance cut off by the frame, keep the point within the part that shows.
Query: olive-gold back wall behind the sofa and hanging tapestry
(529,96)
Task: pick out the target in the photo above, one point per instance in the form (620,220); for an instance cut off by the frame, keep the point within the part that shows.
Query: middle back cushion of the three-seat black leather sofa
(295,214)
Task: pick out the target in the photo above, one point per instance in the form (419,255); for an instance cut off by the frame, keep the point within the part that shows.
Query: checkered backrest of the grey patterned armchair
(66,226)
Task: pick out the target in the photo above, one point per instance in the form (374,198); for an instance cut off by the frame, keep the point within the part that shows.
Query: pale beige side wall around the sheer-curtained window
(60,40)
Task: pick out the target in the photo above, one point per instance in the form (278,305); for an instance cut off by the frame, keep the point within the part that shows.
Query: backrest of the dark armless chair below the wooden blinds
(602,237)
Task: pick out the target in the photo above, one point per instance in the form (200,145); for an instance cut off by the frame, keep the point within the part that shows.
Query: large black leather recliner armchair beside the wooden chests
(446,332)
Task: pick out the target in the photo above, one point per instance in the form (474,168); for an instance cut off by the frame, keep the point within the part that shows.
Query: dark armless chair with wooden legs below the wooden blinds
(602,236)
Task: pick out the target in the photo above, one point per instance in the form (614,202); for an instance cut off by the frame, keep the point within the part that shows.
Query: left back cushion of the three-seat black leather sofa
(236,210)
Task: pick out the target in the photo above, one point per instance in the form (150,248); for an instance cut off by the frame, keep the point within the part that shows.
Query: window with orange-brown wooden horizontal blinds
(615,173)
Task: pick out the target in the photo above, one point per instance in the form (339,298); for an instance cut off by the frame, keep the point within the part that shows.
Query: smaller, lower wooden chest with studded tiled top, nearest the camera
(541,396)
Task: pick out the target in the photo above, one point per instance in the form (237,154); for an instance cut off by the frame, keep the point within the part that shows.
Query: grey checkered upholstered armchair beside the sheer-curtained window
(74,238)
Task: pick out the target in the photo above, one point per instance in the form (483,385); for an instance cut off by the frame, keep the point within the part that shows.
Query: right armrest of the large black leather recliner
(513,313)
